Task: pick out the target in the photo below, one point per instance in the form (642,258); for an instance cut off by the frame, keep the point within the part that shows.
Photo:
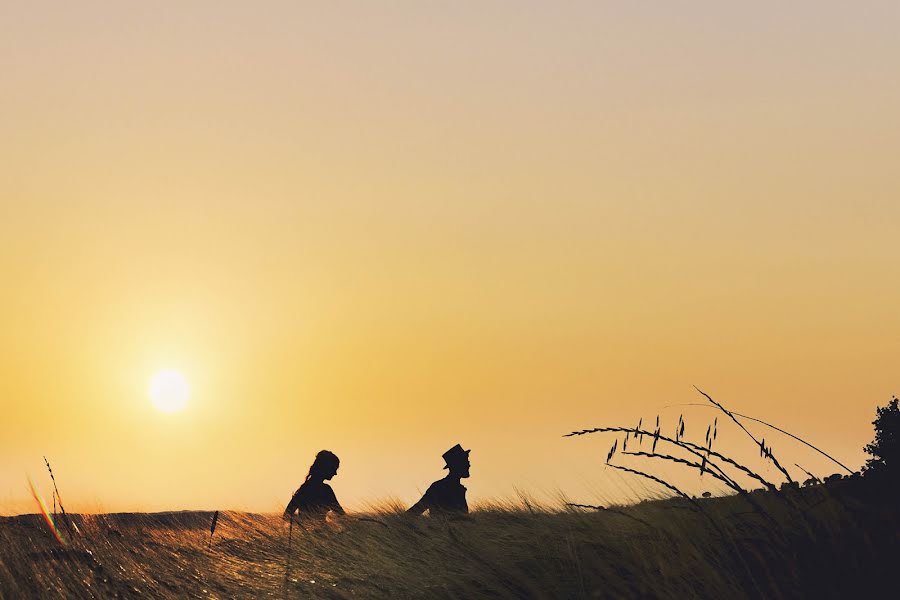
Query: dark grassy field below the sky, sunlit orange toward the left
(839,540)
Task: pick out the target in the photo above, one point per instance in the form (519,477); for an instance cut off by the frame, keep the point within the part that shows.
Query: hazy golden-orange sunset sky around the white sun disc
(385,228)
